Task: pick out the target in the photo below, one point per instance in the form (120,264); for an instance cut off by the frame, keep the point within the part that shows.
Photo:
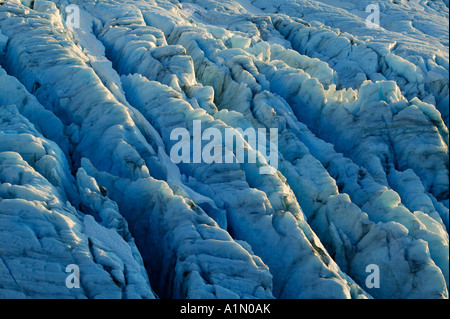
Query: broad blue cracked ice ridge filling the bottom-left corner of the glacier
(41,230)
